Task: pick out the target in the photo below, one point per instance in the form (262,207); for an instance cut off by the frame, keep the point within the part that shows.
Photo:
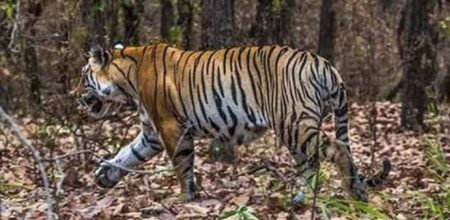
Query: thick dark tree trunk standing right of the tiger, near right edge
(417,40)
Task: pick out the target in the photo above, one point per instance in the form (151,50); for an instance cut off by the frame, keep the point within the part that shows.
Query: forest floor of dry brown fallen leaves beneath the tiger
(258,185)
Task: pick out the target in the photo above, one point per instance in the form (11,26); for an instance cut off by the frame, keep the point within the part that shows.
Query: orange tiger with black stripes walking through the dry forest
(231,95)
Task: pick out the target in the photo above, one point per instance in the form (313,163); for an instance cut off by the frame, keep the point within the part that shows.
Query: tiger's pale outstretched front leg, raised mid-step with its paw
(145,146)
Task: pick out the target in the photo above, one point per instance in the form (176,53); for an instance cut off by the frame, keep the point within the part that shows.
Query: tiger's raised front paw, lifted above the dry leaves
(107,176)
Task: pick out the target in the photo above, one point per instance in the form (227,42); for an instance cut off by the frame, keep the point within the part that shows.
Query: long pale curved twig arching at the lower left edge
(15,129)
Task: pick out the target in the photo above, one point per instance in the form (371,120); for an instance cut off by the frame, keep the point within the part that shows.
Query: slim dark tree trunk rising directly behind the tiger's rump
(327,33)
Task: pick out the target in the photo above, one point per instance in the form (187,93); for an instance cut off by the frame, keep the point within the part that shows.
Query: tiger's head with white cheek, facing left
(102,90)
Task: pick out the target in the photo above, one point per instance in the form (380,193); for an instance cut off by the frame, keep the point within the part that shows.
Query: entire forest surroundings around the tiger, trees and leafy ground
(394,56)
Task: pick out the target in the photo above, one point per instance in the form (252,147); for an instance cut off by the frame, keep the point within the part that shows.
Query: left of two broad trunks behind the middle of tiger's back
(217,23)
